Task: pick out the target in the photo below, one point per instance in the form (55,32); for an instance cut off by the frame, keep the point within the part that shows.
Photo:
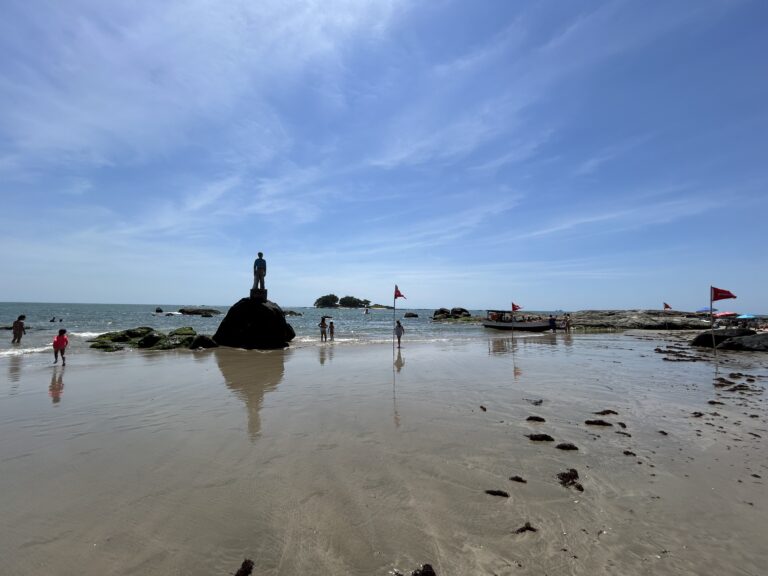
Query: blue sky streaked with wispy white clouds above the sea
(564,155)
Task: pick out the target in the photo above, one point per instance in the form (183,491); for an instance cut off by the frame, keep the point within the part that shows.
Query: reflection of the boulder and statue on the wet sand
(250,375)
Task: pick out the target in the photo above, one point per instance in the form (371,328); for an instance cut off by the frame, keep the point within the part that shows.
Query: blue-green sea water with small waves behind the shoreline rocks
(86,321)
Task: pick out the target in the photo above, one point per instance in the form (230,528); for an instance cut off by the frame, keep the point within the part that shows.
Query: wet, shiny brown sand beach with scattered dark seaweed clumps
(353,460)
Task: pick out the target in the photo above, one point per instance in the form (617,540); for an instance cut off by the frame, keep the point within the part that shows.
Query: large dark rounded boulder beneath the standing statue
(254,325)
